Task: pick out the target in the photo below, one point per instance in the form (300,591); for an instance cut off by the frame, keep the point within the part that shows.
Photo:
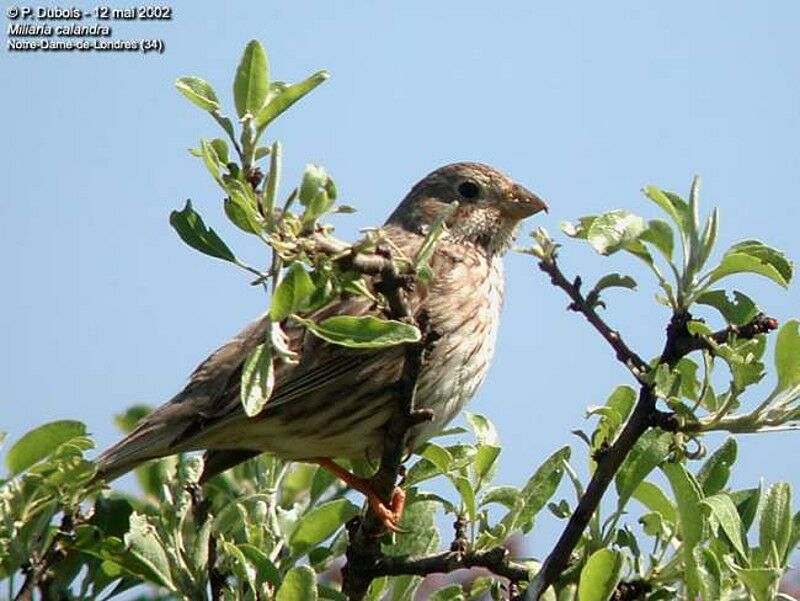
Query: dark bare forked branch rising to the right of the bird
(679,342)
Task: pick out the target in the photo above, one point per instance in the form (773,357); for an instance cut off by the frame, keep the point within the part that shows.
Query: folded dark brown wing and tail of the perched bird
(210,401)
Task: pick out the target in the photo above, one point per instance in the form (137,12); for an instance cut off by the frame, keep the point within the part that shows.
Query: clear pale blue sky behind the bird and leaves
(583,102)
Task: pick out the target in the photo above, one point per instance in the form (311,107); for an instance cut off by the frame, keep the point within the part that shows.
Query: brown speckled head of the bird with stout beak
(490,205)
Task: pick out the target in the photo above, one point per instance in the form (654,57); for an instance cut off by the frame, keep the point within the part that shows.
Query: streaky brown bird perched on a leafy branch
(335,402)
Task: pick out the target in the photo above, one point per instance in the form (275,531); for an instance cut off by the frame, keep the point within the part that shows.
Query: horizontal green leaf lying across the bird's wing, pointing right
(362,332)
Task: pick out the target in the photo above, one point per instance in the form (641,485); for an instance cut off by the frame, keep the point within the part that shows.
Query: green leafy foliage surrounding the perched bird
(673,527)
